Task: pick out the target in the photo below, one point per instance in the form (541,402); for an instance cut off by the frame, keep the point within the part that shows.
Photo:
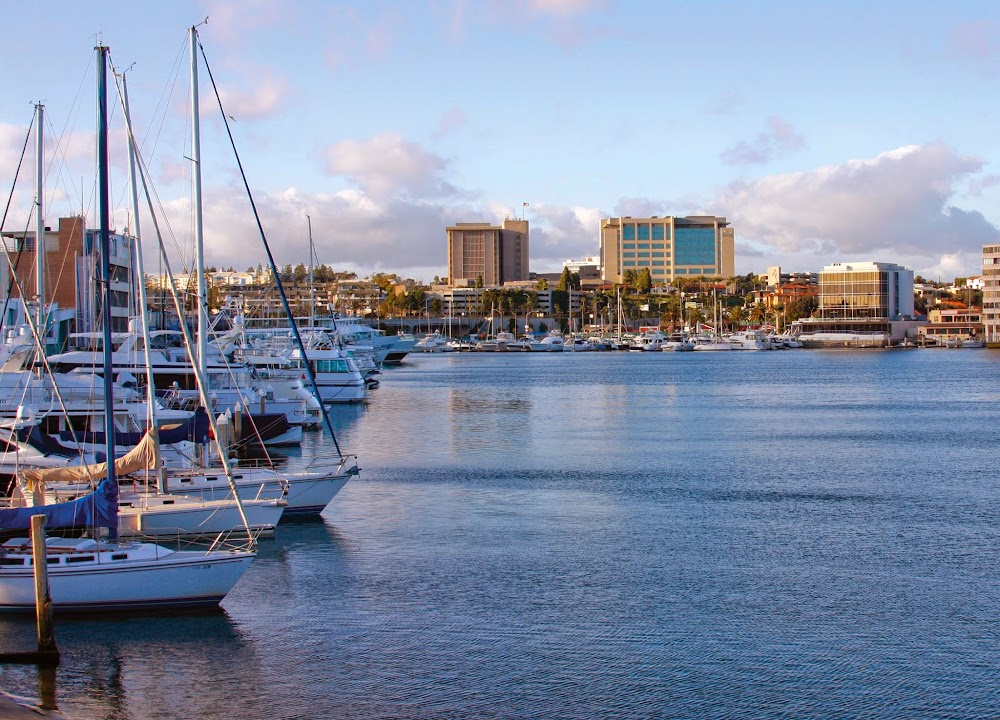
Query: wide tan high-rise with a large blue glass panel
(670,247)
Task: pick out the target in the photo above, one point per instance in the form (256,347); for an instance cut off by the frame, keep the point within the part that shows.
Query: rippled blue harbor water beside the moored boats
(803,534)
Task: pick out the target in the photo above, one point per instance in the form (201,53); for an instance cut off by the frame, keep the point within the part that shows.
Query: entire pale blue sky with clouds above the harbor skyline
(824,131)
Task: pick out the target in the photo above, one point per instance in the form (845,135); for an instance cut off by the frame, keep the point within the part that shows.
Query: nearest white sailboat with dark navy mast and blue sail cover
(95,574)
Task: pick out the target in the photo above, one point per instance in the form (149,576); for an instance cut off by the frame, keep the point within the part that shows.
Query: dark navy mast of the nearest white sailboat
(105,244)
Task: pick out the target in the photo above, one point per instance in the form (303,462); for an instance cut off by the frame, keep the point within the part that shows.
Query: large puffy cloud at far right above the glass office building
(894,207)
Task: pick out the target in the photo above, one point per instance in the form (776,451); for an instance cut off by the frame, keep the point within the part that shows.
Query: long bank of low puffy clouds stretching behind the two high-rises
(895,207)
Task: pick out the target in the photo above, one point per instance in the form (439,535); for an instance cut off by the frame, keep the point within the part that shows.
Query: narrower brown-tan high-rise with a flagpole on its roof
(497,254)
